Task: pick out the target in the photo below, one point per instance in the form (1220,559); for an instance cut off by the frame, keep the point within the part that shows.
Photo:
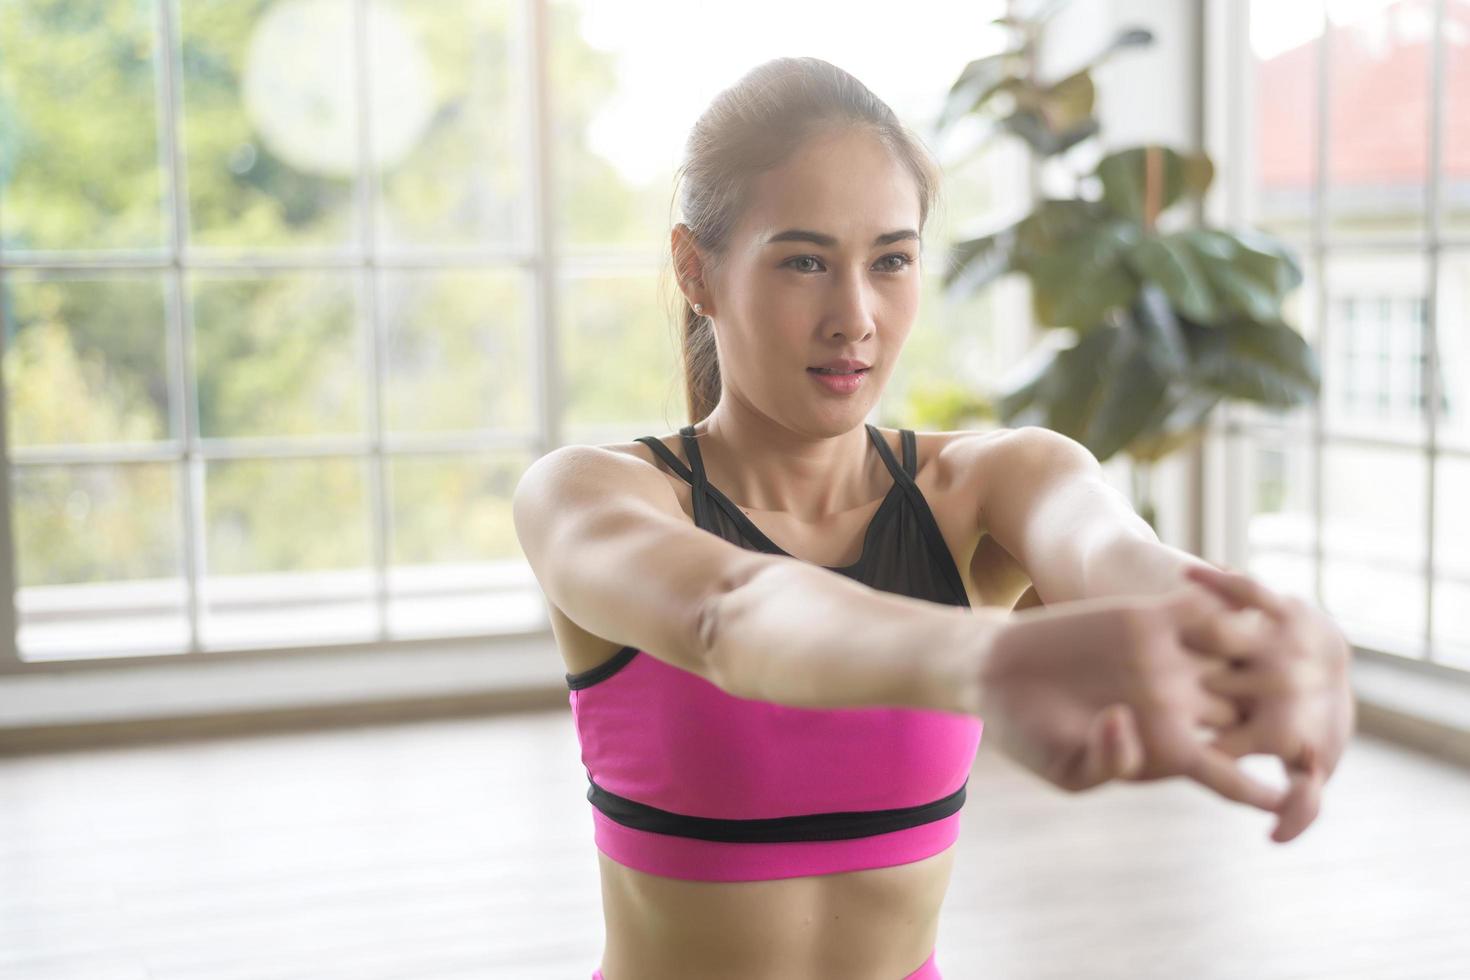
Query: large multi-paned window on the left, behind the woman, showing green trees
(295,290)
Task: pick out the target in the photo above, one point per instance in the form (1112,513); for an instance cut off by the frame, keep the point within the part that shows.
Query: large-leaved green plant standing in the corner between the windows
(1166,323)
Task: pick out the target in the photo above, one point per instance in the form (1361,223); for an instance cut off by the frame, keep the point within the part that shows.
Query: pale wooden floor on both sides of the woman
(461,850)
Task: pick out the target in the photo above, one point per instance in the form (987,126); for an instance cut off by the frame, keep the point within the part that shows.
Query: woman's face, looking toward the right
(786,303)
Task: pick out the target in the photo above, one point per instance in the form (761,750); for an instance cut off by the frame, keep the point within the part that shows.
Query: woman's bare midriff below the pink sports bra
(872,923)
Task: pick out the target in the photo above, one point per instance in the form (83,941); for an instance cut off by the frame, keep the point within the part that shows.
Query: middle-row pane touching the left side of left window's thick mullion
(459,350)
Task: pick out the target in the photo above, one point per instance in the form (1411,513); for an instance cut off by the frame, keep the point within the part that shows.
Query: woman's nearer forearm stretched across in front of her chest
(800,635)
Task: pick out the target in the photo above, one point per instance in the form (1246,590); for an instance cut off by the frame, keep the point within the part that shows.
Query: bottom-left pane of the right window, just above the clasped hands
(1281,503)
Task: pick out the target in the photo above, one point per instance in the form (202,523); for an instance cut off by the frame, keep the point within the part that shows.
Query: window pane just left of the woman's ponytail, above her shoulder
(618,359)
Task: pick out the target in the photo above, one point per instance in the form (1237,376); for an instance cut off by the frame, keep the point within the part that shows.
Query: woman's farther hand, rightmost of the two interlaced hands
(1294,678)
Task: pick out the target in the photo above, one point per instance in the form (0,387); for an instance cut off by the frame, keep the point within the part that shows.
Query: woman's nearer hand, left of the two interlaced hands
(1114,688)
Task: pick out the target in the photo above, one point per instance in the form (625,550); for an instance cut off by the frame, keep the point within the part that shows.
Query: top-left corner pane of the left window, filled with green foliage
(80,164)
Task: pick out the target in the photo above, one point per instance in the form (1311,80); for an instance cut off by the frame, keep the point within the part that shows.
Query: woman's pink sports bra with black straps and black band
(692,782)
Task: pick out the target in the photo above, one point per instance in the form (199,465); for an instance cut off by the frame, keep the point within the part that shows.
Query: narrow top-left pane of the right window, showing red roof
(1286,42)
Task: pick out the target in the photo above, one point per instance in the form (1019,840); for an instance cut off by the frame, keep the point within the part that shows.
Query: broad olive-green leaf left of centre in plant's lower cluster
(1084,280)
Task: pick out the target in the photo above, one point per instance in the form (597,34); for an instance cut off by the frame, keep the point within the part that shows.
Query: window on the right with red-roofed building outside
(1341,131)
